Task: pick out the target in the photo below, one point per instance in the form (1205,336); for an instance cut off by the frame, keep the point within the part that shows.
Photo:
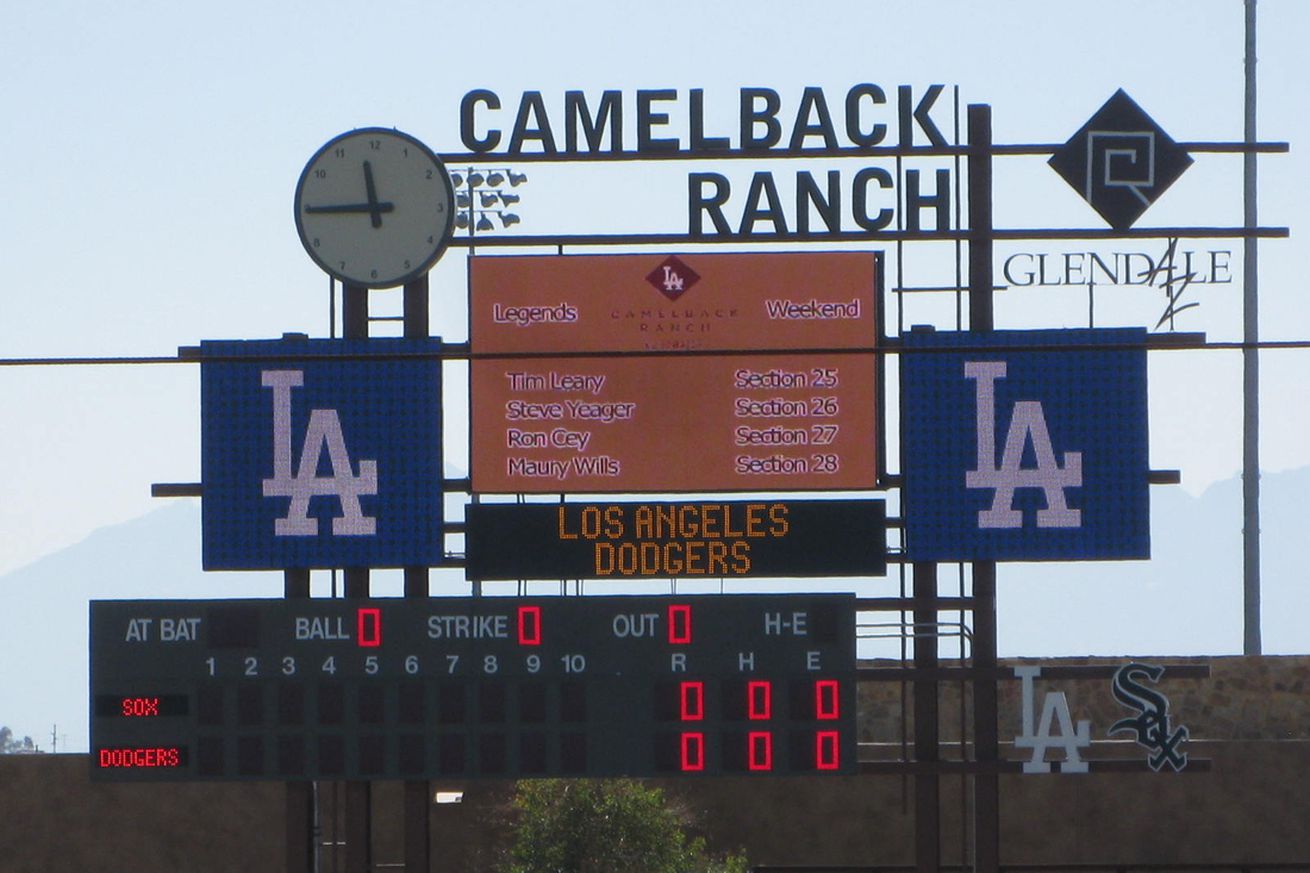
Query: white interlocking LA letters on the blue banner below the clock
(323,435)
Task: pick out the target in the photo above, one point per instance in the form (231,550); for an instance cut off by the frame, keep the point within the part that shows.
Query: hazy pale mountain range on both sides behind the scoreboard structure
(1188,600)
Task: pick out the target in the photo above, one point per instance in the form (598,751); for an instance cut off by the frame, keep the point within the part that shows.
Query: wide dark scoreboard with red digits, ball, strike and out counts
(472,688)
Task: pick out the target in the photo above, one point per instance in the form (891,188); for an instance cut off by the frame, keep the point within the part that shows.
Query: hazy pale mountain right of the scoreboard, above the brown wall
(1188,600)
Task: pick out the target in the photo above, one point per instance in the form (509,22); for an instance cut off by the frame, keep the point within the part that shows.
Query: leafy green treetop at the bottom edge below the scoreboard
(605,826)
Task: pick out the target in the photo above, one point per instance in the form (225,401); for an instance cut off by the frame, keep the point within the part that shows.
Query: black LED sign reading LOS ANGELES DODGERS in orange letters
(683,539)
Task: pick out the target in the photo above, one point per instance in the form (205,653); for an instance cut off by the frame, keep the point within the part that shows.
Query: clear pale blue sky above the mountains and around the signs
(153,150)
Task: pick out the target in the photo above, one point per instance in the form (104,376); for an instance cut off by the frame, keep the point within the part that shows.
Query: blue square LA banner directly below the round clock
(322,454)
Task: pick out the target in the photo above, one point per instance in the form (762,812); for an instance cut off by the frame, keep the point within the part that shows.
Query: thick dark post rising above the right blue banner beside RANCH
(987,802)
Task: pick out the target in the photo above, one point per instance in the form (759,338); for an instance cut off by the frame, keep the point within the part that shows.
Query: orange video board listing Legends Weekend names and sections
(725,373)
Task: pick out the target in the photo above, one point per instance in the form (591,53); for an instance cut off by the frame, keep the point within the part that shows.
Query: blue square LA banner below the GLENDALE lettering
(1025,445)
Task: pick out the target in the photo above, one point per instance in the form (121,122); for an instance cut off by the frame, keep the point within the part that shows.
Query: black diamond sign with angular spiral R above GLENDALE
(1121,162)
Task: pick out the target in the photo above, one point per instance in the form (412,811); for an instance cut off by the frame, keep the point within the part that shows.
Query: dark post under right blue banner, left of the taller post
(928,788)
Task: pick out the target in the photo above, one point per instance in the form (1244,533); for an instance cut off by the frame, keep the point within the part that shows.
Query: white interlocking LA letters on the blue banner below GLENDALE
(1028,425)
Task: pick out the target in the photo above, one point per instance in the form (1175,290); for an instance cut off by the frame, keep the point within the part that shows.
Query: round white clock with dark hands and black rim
(375,208)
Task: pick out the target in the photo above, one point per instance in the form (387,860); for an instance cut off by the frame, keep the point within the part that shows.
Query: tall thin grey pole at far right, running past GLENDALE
(1252,643)
